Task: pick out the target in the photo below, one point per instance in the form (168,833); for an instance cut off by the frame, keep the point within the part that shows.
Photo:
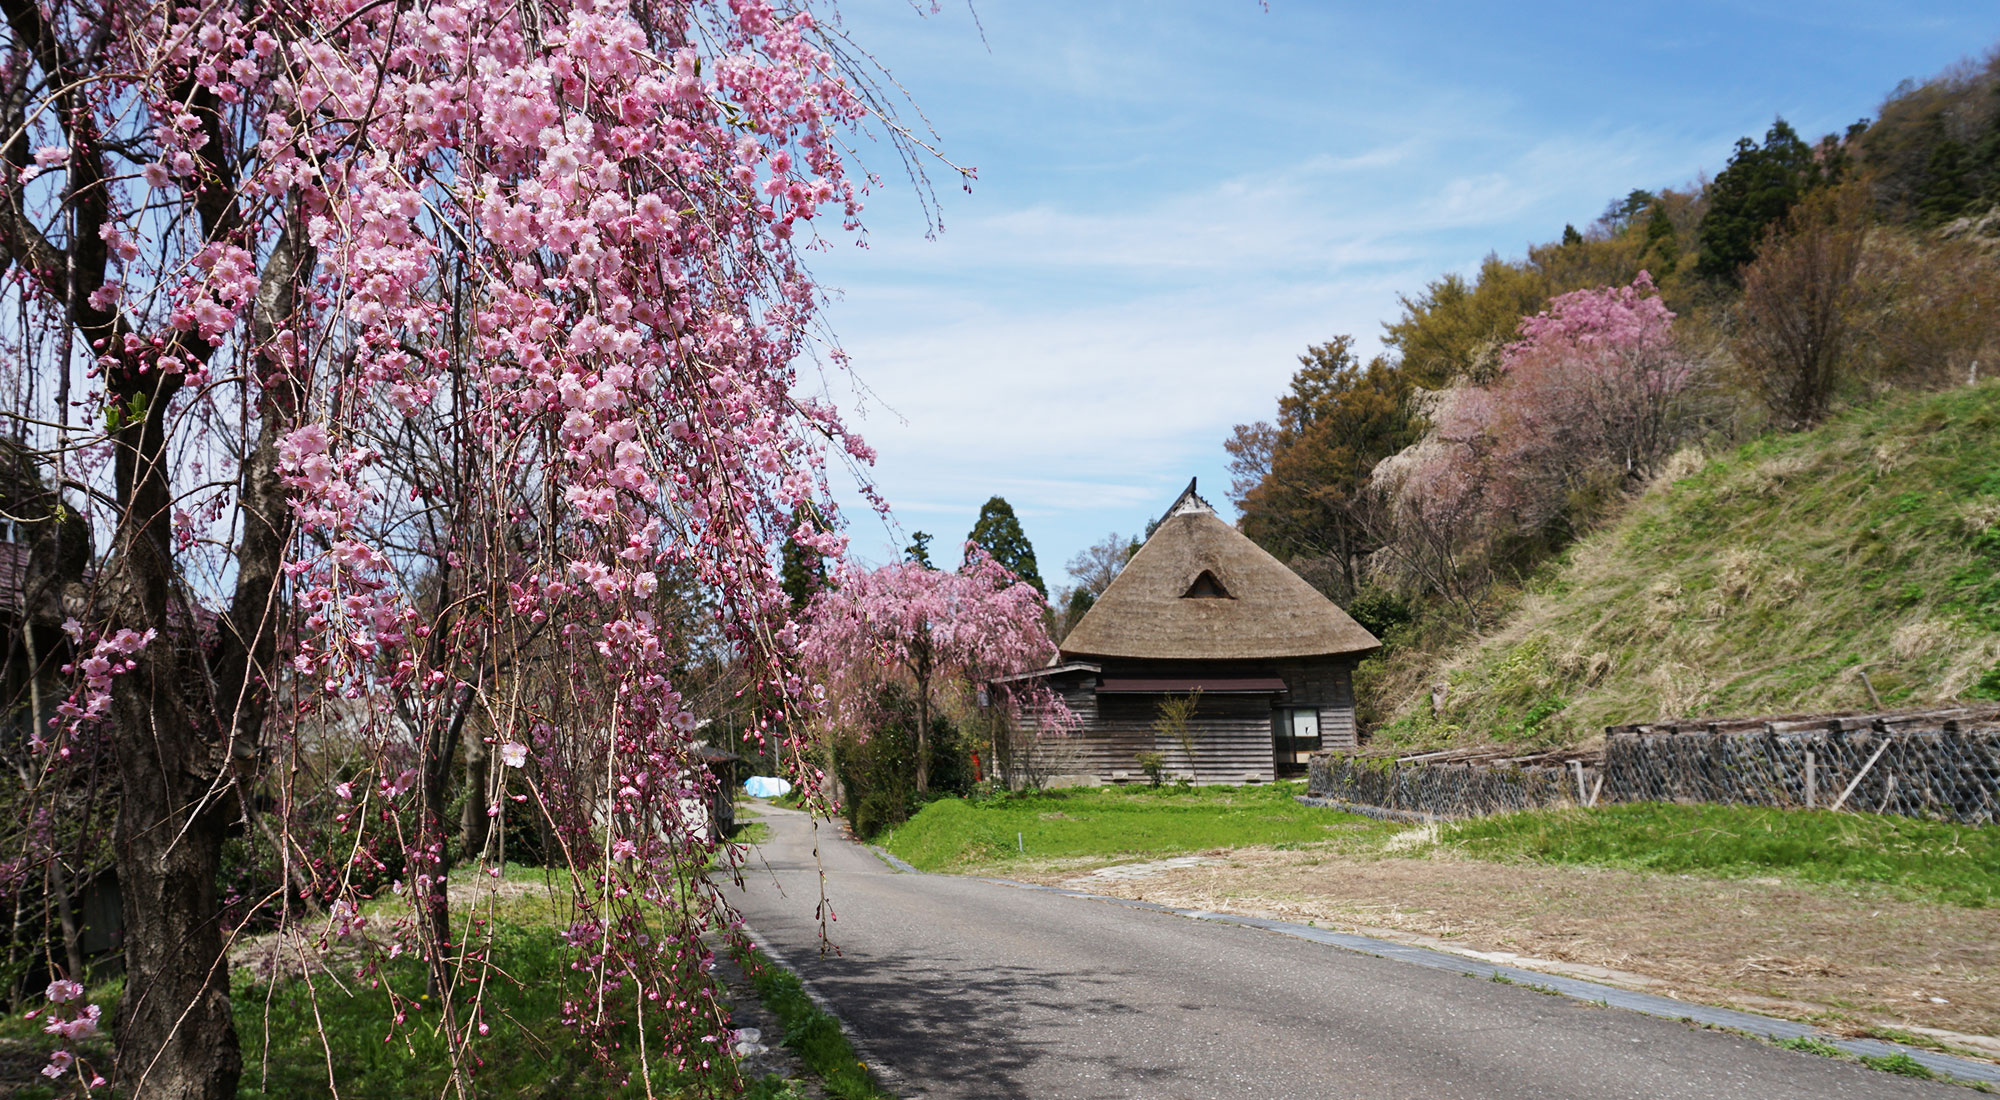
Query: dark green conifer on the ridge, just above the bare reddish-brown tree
(1755,193)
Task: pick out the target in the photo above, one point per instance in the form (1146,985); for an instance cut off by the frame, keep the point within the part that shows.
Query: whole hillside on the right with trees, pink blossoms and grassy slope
(1499,493)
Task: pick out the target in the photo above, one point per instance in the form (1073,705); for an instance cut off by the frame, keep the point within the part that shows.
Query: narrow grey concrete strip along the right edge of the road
(1613,997)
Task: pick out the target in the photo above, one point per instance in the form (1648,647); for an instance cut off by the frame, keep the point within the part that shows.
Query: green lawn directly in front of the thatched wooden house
(1113,823)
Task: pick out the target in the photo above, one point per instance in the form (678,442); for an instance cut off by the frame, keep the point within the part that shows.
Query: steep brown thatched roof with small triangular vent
(1199,589)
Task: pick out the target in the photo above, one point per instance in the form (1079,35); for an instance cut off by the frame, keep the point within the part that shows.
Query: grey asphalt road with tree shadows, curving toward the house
(991,993)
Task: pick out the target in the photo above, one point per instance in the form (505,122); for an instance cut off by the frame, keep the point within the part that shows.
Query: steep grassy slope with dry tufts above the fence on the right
(1761,585)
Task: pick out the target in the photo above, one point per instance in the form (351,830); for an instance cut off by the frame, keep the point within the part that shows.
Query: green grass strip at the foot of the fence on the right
(1907,857)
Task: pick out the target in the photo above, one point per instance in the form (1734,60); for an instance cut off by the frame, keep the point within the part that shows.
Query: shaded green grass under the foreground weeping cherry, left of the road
(383,1035)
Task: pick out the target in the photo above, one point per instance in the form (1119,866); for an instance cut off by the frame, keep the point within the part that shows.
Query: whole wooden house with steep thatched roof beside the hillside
(1201,611)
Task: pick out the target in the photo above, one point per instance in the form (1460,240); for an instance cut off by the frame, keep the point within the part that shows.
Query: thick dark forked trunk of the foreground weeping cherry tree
(179,767)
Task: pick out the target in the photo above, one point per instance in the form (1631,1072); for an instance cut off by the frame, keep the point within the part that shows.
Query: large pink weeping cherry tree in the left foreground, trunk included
(253,247)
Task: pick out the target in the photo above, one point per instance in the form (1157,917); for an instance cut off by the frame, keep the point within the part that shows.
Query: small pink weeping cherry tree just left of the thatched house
(927,629)
